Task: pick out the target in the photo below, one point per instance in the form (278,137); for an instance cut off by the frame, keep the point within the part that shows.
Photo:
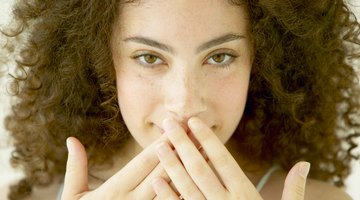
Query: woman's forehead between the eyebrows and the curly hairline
(182,18)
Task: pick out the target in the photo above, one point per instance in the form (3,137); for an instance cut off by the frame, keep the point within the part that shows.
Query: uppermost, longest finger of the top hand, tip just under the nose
(223,162)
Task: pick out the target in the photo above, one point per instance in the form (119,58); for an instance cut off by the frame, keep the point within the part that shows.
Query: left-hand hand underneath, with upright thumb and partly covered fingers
(132,182)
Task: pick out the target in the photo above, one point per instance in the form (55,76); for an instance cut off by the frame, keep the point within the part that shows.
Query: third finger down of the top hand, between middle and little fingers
(180,178)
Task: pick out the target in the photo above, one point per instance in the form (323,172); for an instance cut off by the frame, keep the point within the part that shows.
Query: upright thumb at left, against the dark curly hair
(76,176)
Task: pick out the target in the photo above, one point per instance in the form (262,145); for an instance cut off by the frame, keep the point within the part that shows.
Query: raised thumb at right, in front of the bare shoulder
(294,186)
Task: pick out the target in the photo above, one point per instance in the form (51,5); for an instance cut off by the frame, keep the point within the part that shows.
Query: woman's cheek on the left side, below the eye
(137,100)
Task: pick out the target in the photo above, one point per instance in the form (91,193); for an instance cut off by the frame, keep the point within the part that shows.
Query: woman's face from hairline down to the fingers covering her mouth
(178,59)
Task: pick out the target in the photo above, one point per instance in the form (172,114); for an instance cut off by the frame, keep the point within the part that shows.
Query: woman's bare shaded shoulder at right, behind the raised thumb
(314,189)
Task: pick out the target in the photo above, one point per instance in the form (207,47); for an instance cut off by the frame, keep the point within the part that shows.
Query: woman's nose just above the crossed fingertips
(185,95)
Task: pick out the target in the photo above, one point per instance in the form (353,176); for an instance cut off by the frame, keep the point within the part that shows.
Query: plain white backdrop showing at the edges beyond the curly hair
(8,175)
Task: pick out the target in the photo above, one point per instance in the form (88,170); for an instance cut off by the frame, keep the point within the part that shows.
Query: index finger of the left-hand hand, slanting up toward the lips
(133,173)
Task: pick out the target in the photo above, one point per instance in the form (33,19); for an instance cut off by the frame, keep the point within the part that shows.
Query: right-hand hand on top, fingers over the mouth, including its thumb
(220,178)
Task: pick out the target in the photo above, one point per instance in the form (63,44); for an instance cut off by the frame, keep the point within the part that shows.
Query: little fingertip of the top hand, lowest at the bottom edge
(163,189)
